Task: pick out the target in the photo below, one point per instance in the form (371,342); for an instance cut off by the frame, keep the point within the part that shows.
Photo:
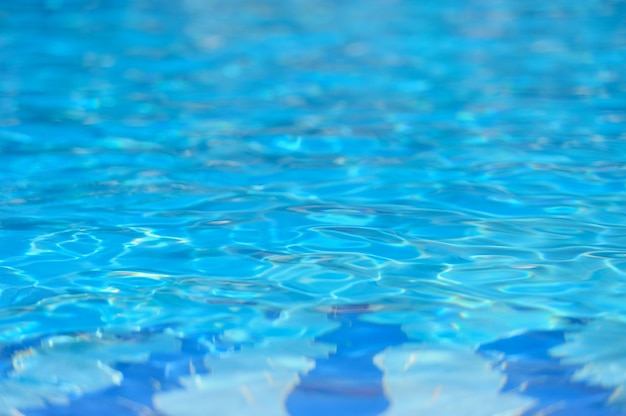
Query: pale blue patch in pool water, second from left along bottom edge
(253,381)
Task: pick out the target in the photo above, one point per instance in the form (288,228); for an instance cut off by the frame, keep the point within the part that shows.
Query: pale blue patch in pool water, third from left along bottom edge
(444,380)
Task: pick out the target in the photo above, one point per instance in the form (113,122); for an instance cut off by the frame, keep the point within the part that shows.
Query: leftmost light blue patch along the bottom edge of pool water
(64,367)
